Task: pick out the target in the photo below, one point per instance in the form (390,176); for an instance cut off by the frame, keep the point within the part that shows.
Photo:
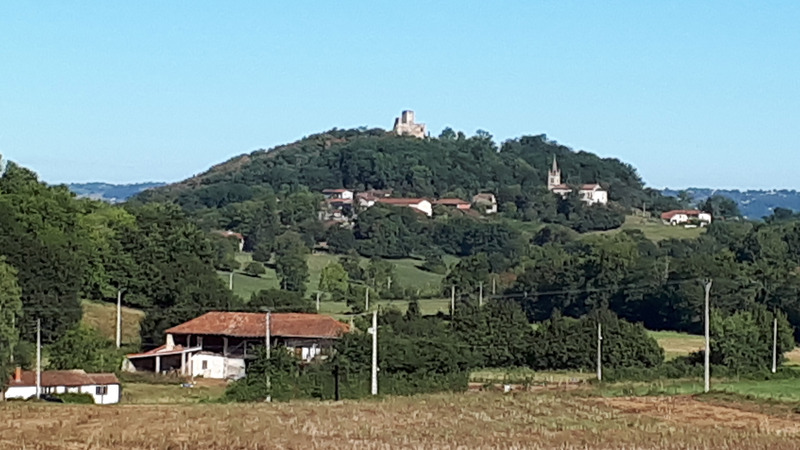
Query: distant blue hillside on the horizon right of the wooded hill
(754,204)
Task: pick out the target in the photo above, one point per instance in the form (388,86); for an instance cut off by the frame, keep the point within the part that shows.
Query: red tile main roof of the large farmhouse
(253,325)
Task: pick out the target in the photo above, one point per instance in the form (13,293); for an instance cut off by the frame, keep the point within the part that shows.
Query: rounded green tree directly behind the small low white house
(84,348)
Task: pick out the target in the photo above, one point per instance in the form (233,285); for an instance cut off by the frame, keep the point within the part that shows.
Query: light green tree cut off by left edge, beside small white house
(10,313)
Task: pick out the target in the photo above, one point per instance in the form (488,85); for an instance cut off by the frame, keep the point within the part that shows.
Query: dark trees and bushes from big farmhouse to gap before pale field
(418,354)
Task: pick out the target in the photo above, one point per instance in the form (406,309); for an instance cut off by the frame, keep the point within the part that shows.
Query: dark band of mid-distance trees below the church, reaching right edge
(657,284)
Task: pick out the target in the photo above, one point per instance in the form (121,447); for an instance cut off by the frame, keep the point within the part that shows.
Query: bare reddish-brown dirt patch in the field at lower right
(687,410)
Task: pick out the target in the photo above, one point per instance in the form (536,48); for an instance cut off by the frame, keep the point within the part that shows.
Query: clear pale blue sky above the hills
(692,93)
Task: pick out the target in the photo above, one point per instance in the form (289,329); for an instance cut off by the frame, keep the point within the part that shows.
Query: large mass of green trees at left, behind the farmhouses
(57,250)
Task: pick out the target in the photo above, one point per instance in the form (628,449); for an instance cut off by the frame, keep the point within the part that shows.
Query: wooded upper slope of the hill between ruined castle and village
(452,165)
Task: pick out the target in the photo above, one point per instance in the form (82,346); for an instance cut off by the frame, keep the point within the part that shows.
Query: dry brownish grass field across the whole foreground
(473,420)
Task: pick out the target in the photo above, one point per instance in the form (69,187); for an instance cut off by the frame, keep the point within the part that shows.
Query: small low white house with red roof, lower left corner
(103,387)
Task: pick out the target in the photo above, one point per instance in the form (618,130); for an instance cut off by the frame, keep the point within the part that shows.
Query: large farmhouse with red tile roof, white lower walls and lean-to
(218,344)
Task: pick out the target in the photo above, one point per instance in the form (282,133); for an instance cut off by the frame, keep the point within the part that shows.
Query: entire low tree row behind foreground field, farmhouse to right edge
(419,354)
